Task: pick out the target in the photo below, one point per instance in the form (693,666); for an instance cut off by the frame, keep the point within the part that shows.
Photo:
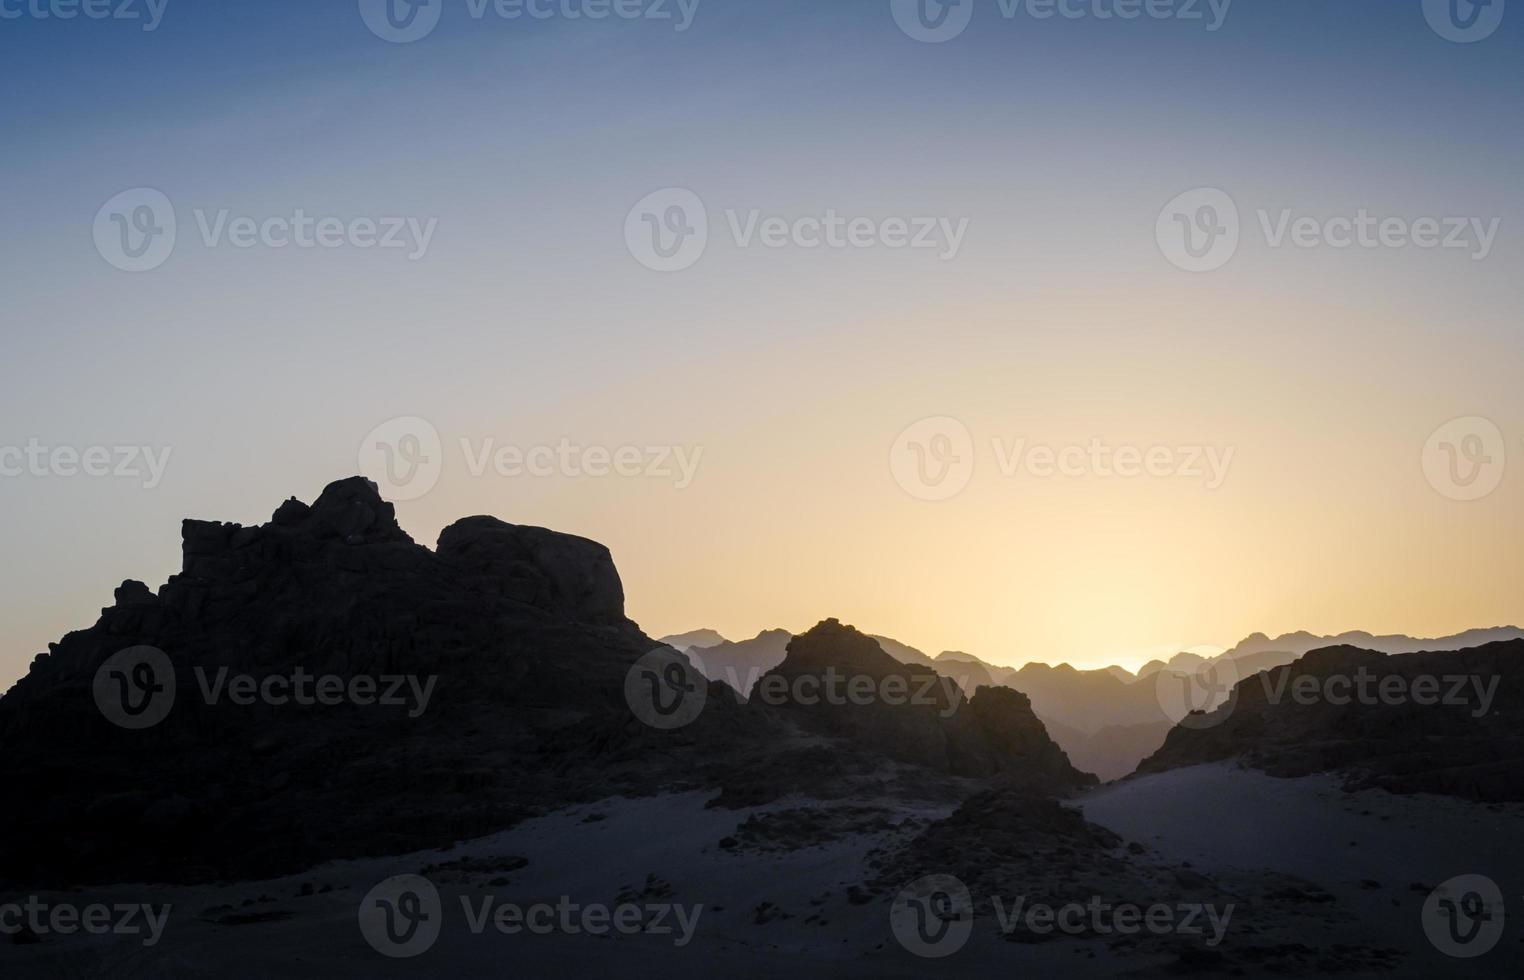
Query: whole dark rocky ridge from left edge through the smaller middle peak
(322,688)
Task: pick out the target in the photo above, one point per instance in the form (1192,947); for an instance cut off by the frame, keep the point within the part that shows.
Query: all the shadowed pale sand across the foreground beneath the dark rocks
(667,850)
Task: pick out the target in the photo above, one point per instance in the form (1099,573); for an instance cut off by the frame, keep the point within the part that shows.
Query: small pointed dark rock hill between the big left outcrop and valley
(840,682)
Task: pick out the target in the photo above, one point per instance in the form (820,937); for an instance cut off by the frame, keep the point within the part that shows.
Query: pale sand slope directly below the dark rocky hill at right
(1225,819)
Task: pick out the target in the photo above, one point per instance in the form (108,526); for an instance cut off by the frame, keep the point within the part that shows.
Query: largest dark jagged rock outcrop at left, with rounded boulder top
(520,629)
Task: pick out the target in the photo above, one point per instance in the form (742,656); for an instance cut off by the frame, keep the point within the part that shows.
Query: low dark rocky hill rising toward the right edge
(1449,722)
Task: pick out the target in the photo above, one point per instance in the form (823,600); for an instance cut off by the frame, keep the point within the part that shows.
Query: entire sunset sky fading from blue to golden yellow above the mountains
(880,321)
